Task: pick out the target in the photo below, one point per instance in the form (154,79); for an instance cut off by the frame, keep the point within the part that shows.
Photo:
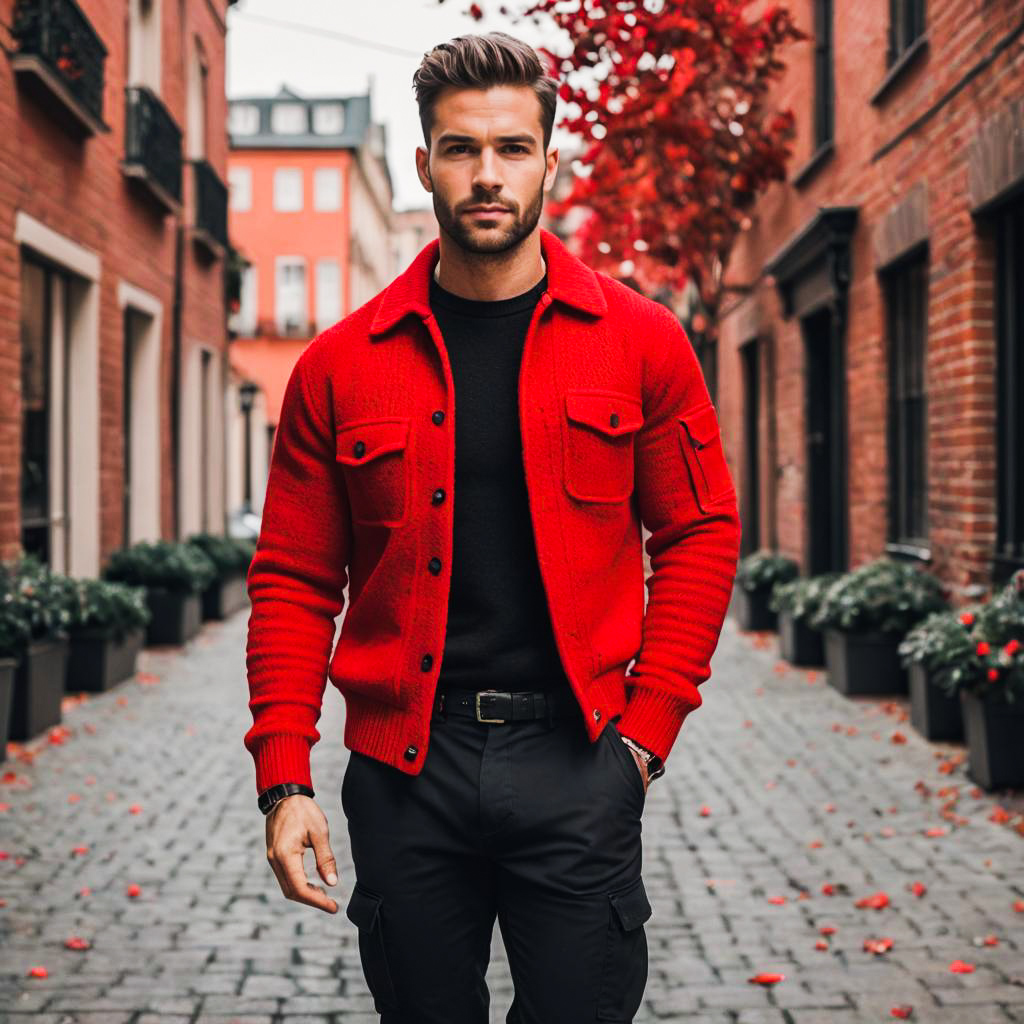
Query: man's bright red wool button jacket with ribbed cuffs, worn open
(618,429)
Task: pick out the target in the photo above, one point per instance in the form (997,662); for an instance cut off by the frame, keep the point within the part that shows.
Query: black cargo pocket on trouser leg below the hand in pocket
(625,975)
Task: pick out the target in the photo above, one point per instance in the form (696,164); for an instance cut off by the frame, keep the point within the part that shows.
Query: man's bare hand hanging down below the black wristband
(292,825)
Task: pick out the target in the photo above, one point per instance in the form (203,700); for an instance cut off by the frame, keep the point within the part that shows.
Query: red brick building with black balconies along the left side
(113,236)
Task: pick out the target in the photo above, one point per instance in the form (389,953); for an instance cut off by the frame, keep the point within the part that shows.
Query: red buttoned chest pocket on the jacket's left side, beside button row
(374,459)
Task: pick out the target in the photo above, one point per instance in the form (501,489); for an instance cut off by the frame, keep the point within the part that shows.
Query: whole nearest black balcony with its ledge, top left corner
(61,60)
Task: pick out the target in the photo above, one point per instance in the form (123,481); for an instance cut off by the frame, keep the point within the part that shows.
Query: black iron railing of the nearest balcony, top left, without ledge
(58,34)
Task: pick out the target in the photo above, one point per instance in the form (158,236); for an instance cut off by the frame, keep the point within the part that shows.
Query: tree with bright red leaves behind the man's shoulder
(671,100)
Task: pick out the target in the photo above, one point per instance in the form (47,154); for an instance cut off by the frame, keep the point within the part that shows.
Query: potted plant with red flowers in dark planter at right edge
(992,690)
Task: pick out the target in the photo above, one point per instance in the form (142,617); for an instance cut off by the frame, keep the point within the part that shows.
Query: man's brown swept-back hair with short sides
(480,62)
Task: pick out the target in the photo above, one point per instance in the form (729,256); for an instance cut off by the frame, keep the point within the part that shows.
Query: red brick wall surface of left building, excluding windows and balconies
(77,189)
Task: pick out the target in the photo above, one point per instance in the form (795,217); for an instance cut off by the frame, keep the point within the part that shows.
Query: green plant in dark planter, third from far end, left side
(107,630)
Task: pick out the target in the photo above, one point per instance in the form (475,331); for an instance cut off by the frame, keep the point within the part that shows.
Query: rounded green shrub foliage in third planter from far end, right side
(885,595)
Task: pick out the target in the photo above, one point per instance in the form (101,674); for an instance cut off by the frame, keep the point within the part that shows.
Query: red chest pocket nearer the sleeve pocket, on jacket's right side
(602,426)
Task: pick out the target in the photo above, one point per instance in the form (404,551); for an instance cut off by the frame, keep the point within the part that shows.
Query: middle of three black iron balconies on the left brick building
(153,147)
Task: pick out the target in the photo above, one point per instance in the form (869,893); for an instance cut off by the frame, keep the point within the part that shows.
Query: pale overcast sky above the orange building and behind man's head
(318,61)
